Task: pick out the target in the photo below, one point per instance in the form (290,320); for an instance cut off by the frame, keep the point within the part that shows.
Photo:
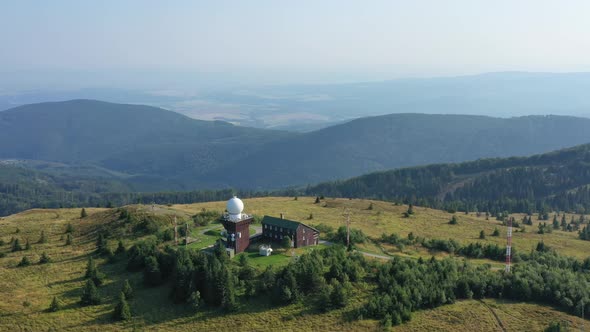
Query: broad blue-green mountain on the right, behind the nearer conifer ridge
(401,140)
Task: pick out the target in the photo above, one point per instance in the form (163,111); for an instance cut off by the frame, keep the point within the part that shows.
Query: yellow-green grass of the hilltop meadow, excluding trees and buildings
(28,291)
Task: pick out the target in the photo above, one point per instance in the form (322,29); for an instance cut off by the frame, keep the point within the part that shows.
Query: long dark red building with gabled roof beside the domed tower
(275,229)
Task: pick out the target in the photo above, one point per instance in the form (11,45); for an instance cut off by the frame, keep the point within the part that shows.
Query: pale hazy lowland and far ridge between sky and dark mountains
(308,107)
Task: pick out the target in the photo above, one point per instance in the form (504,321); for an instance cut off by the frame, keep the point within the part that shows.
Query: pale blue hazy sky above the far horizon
(58,41)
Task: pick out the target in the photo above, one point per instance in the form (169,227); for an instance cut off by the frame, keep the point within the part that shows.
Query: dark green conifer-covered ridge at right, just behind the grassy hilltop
(558,180)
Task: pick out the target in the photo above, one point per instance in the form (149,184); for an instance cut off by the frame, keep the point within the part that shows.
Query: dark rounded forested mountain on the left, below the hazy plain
(139,140)
